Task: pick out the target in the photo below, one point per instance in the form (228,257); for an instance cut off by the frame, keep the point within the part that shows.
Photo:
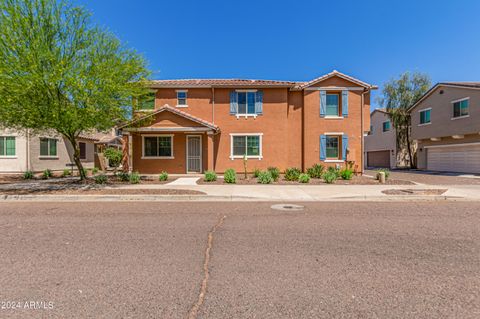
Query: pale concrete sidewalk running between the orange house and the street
(275,193)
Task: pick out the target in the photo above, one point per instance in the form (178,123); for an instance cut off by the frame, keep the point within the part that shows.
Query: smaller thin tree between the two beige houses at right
(398,96)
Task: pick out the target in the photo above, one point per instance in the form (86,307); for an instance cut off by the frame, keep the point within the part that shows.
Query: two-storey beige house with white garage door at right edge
(446,125)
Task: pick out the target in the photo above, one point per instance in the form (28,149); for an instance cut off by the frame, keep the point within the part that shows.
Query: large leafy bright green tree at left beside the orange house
(59,71)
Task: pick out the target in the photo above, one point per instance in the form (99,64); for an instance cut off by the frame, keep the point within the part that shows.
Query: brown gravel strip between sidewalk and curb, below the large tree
(101,191)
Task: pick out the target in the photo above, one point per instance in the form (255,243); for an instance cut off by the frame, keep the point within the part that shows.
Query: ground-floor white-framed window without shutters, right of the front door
(246,144)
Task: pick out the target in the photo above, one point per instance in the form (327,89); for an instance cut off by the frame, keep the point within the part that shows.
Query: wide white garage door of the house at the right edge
(464,159)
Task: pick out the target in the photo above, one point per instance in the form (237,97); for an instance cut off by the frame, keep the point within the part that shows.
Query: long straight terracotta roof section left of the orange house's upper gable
(186,83)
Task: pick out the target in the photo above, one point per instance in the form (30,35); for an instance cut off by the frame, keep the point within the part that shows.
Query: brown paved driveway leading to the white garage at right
(432,177)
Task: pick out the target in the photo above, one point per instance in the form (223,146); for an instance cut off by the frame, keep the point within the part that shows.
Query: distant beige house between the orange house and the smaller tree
(380,143)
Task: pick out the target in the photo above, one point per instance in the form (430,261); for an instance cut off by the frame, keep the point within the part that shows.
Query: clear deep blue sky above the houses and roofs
(299,40)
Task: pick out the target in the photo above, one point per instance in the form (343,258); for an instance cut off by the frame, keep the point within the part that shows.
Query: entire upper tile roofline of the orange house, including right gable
(211,83)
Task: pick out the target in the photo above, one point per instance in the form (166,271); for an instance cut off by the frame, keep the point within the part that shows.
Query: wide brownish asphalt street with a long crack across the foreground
(330,260)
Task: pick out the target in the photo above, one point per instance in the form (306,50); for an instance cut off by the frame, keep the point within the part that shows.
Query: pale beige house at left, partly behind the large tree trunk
(21,151)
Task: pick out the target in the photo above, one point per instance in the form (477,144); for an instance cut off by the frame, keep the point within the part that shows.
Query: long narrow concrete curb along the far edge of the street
(213,198)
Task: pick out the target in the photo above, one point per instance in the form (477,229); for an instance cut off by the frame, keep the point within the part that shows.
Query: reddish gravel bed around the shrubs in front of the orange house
(356,180)
